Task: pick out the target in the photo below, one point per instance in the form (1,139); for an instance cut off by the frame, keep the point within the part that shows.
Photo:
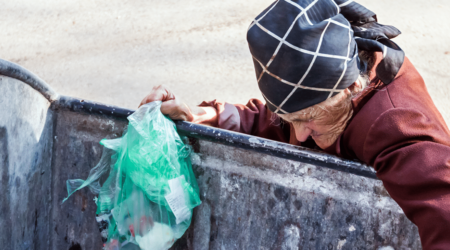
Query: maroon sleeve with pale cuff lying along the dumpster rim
(253,118)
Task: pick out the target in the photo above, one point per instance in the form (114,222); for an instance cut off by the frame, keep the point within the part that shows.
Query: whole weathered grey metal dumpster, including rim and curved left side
(256,193)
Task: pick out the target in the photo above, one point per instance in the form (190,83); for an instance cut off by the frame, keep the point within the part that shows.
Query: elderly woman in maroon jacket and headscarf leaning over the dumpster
(328,71)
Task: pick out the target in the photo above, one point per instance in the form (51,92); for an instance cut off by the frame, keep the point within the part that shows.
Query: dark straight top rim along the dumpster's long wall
(229,138)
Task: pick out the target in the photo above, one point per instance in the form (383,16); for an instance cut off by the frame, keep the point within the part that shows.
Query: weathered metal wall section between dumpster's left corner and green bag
(76,151)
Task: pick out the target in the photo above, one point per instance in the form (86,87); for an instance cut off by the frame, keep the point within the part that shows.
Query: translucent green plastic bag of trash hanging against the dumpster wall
(147,200)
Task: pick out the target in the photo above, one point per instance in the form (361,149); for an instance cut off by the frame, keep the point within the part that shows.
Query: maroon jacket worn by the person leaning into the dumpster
(398,130)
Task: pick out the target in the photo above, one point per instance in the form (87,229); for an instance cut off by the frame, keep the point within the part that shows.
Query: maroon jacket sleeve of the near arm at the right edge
(411,155)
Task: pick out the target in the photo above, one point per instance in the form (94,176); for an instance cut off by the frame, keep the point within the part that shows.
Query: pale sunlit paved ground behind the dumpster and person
(115,51)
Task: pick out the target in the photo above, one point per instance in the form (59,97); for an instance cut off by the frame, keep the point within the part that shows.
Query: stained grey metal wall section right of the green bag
(257,201)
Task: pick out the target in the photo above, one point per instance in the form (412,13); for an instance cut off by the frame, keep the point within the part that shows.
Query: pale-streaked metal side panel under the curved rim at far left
(26,127)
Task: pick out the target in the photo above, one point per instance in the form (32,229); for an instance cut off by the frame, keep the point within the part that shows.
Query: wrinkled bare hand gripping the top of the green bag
(171,105)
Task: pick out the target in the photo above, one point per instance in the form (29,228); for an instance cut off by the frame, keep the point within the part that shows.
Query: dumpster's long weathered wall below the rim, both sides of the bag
(249,200)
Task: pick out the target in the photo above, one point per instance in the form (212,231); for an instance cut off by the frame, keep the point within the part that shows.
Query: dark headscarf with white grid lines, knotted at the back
(306,51)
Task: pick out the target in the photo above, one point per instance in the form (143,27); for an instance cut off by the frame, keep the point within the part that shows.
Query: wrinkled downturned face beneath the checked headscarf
(324,122)
